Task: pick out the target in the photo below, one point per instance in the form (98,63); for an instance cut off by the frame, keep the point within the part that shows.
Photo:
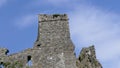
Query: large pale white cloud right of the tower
(90,25)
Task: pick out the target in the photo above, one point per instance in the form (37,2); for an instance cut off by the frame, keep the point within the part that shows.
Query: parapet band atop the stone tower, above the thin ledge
(54,17)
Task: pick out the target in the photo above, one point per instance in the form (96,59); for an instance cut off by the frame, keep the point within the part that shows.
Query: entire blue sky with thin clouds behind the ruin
(92,22)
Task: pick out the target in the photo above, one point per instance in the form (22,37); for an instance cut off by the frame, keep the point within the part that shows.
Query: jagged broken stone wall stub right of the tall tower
(87,58)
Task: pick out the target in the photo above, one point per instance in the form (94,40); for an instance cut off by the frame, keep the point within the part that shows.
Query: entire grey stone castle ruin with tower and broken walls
(52,49)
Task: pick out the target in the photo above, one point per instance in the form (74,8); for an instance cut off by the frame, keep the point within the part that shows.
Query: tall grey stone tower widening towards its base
(56,49)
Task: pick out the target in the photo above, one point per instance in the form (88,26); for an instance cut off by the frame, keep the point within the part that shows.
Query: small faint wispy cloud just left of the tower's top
(25,21)
